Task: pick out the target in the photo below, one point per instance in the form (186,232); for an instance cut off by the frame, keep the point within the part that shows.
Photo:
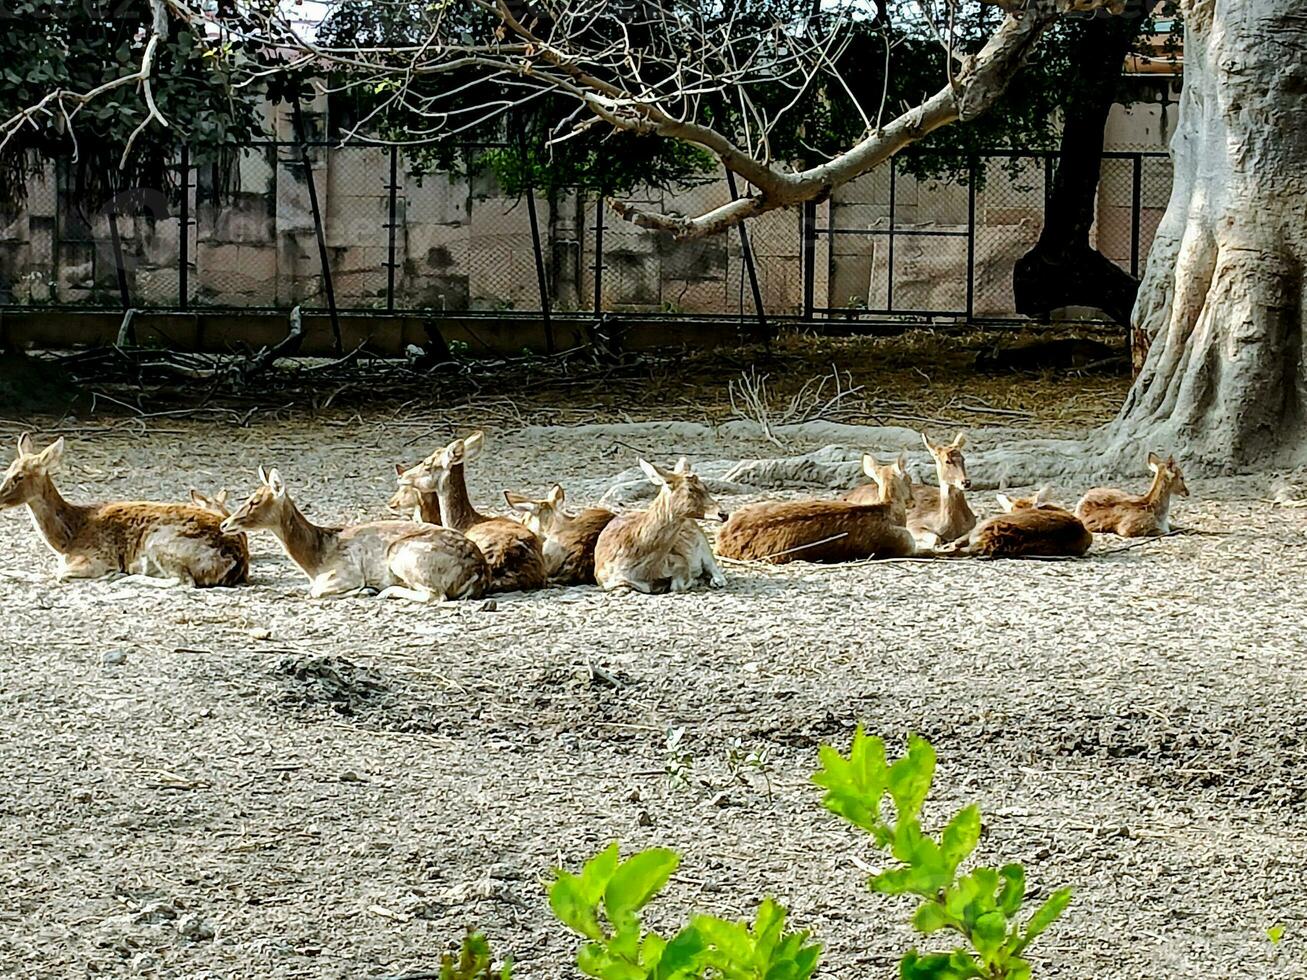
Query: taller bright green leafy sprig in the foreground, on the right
(981,906)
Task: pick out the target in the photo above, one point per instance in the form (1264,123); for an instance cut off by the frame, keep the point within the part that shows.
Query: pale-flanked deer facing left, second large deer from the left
(395,559)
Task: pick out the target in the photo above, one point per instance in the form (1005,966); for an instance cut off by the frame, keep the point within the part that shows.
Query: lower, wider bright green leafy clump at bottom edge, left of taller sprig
(604,904)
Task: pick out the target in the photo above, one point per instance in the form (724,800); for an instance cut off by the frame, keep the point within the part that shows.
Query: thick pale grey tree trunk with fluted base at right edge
(1223,296)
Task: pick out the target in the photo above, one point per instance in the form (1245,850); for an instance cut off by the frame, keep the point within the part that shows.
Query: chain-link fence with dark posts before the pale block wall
(356,228)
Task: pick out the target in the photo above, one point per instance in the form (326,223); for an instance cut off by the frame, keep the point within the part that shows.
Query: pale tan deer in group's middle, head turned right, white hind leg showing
(662,549)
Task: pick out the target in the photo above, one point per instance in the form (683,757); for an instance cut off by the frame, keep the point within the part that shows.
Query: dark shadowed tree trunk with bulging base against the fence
(1063,270)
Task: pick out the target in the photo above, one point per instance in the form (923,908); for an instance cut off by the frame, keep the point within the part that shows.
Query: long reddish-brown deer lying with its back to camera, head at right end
(827,531)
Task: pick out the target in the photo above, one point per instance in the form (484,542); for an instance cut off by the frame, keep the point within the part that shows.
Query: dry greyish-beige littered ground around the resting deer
(249,785)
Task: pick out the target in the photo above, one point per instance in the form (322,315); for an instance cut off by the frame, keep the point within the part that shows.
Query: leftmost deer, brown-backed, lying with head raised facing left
(155,544)
